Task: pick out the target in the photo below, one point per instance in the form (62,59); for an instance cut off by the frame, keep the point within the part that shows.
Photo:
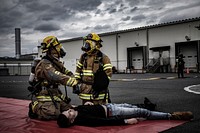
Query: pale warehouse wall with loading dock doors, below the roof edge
(151,48)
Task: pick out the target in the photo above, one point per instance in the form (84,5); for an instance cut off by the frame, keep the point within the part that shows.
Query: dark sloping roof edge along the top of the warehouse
(138,28)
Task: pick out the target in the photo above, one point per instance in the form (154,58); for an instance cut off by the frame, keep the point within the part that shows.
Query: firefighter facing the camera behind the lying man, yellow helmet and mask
(93,71)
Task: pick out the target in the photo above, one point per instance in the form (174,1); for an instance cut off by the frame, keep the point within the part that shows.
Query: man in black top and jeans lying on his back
(113,114)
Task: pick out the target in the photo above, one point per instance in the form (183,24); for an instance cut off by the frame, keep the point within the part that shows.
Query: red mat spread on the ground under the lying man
(14,119)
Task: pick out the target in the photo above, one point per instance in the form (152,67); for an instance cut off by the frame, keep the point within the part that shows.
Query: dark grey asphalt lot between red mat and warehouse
(164,89)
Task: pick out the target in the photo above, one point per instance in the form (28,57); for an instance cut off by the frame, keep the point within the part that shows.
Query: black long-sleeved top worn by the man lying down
(94,115)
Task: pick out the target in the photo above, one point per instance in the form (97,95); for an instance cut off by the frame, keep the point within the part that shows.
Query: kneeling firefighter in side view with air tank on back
(48,74)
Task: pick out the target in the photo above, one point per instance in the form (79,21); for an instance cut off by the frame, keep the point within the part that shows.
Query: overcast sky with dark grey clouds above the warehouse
(75,18)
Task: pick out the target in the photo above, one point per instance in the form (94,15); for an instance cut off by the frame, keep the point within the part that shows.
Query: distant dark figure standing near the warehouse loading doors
(180,66)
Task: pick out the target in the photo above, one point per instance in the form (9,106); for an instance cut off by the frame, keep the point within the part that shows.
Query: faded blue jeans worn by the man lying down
(133,111)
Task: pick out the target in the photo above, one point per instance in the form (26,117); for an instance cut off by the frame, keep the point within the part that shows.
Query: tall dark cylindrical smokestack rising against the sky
(17,43)
